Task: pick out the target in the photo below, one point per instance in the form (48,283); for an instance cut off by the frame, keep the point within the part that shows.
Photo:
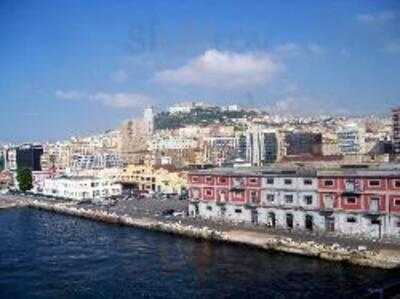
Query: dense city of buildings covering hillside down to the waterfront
(335,174)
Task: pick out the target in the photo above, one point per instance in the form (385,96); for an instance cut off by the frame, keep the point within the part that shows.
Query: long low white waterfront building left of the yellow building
(81,187)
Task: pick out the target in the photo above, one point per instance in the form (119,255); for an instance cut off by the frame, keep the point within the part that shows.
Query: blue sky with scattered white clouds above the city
(80,67)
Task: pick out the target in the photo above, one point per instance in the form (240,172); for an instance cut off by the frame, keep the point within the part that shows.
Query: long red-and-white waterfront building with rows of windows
(360,202)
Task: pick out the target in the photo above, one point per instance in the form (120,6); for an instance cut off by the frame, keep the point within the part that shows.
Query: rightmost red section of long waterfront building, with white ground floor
(361,201)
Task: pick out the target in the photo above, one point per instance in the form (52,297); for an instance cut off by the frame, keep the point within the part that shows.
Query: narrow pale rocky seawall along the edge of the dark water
(385,259)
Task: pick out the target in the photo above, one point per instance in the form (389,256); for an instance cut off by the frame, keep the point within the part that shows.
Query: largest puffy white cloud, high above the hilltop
(224,69)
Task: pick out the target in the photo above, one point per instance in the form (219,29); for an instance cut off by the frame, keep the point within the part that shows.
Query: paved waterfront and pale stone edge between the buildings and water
(148,214)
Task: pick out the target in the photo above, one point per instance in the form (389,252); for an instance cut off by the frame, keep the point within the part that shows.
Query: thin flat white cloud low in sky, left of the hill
(115,100)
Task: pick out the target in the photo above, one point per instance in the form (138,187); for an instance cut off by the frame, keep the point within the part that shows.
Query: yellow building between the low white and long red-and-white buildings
(163,179)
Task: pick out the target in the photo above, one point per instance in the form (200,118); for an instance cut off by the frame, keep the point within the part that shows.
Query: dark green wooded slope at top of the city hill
(199,116)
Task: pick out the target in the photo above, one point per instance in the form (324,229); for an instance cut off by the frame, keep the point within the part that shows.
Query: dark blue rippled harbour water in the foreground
(45,255)
